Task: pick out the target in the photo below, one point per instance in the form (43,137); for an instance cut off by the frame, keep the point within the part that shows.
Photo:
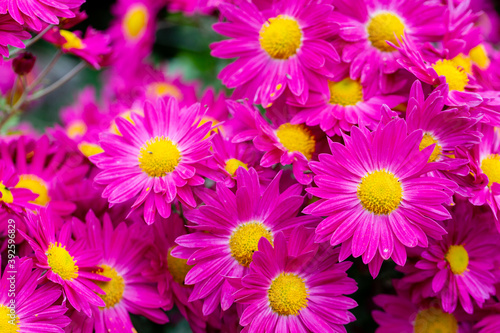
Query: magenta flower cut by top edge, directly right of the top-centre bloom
(366,26)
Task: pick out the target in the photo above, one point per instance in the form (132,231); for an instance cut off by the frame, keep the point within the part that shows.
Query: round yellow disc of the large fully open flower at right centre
(380,192)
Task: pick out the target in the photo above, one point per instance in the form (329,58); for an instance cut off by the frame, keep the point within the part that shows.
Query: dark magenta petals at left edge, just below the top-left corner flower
(11,33)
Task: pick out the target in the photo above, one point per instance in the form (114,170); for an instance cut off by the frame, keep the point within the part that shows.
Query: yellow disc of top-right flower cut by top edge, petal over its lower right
(385,27)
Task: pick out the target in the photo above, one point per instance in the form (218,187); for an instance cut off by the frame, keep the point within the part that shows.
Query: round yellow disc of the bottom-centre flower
(287,294)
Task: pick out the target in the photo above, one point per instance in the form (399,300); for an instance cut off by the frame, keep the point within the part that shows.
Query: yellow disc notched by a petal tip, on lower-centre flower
(244,241)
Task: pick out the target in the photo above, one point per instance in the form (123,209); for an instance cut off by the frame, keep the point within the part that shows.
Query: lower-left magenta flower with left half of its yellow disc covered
(127,290)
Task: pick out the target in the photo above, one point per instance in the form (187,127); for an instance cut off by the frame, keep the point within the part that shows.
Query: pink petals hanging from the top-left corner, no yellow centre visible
(34,13)
